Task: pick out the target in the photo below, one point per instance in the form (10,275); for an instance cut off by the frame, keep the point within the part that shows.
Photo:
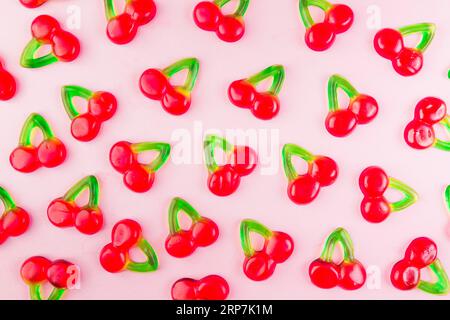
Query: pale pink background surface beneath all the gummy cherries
(274,35)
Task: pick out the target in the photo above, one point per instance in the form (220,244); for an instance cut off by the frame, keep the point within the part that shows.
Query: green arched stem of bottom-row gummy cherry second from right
(342,237)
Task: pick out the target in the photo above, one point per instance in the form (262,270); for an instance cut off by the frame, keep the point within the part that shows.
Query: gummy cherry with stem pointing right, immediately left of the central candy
(136,176)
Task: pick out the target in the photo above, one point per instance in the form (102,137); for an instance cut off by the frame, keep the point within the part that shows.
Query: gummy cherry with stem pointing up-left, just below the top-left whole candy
(101,107)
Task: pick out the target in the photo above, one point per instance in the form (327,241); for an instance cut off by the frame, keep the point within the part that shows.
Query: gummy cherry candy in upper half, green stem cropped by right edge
(419,133)
